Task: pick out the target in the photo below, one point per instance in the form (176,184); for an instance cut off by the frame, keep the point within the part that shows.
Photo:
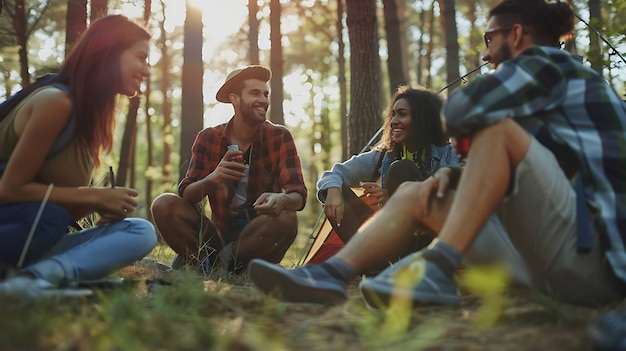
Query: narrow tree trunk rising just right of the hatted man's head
(276,64)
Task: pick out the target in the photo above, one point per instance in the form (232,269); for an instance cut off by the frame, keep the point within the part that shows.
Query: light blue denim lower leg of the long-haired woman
(93,253)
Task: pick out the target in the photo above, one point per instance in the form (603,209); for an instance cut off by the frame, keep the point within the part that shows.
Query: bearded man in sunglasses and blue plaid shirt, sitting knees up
(547,156)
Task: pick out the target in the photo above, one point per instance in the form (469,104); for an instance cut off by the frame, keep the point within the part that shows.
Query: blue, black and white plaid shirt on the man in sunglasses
(546,89)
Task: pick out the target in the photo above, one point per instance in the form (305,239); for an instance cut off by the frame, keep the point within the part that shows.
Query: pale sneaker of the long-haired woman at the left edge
(35,288)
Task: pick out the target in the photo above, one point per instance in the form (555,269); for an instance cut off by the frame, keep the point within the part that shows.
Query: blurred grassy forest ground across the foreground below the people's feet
(226,312)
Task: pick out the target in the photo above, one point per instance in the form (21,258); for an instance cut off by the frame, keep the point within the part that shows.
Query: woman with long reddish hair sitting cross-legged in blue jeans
(51,134)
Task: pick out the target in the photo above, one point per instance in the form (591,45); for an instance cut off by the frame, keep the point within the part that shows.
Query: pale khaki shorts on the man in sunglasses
(539,217)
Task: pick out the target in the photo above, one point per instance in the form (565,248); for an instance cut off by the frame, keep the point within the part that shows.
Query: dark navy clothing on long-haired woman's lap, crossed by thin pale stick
(15,223)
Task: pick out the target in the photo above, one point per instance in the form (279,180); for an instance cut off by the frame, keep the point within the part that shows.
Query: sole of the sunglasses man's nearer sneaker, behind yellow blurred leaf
(378,295)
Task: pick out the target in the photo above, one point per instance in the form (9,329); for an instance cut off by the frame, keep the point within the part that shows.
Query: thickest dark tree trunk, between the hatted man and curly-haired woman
(364,118)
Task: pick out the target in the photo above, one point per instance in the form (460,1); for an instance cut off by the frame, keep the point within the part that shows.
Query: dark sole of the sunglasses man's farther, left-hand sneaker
(285,287)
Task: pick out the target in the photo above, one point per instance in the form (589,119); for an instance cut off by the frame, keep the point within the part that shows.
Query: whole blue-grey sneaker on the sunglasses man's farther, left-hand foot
(304,284)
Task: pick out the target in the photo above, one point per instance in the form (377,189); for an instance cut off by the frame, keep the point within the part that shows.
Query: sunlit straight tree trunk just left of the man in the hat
(192,110)
